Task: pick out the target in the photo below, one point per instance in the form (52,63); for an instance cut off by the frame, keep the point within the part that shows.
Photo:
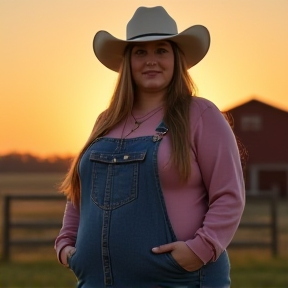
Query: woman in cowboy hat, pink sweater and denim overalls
(156,194)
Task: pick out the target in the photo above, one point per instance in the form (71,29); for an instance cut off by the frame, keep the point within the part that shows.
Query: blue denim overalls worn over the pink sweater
(123,216)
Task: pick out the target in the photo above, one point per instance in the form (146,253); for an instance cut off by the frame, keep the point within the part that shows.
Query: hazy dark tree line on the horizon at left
(27,163)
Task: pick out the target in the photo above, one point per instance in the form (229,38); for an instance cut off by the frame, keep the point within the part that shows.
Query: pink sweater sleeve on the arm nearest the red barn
(218,158)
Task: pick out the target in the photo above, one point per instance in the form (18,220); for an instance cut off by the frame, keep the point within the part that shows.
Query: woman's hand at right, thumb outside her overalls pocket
(182,254)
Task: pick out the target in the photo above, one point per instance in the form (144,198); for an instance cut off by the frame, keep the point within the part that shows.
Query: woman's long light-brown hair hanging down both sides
(176,118)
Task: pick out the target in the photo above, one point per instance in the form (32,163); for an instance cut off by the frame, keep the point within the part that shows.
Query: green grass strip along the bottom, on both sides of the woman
(250,272)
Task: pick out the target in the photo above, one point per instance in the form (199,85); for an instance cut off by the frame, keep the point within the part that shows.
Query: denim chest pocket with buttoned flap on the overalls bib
(115,178)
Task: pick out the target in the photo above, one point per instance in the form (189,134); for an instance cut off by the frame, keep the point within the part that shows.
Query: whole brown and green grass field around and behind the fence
(35,267)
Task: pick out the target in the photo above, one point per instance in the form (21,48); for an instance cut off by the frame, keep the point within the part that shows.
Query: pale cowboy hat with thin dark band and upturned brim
(151,24)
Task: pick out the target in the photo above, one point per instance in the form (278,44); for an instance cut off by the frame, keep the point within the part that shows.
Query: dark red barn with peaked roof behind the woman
(263,129)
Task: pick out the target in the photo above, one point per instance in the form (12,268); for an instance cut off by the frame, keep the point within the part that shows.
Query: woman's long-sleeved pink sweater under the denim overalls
(204,212)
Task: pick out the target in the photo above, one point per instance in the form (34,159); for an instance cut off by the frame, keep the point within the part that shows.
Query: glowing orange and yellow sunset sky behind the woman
(52,87)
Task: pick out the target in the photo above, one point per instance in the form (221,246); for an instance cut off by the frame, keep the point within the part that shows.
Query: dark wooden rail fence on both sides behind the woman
(8,224)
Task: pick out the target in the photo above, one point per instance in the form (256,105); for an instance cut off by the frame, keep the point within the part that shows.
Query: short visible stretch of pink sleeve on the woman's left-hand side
(68,233)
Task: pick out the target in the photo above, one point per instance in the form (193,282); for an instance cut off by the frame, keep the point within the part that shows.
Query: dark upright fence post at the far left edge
(6,228)
